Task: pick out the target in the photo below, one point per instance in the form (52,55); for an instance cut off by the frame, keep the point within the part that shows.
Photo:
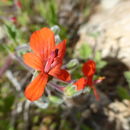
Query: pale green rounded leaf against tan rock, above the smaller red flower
(85,51)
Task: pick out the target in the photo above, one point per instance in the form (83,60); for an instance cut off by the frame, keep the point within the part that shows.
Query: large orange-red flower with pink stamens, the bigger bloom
(47,59)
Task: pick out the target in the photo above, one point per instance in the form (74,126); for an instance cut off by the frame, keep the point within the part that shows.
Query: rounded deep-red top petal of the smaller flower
(89,68)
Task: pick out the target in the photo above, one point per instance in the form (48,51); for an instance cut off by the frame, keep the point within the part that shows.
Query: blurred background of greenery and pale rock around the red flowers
(94,29)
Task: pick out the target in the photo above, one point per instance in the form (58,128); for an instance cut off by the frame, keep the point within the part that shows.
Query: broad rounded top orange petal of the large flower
(42,42)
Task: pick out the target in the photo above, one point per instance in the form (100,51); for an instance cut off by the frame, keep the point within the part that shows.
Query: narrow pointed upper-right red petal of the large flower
(61,49)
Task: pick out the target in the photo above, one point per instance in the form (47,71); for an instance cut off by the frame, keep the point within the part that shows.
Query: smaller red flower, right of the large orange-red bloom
(88,69)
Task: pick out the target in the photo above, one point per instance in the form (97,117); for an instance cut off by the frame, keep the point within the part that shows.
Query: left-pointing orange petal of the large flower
(33,61)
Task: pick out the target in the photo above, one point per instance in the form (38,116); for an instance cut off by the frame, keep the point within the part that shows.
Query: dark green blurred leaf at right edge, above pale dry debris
(123,93)
